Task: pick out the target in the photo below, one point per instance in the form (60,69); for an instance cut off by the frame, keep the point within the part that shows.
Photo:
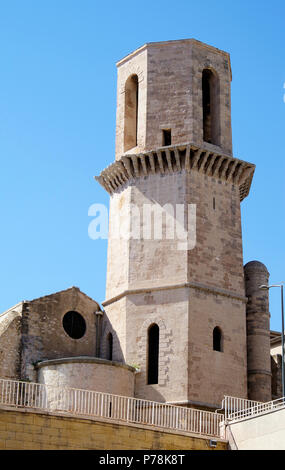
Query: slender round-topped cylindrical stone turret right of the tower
(258,332)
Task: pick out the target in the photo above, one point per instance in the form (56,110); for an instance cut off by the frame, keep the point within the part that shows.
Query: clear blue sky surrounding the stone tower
(57,127)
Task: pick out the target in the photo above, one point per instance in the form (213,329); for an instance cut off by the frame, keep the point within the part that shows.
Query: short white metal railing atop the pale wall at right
(237,408)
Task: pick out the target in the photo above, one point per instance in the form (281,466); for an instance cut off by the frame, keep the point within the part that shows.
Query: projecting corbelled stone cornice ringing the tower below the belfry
(173,159)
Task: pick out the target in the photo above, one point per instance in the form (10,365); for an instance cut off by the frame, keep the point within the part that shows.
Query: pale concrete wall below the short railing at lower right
(265,432)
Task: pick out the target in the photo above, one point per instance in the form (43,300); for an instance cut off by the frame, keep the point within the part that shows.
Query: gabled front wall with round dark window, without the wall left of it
(43,335)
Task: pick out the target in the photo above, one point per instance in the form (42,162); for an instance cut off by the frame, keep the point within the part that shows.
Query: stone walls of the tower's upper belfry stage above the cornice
(170,93)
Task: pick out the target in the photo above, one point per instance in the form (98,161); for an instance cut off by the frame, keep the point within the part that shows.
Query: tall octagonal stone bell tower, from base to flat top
(176,309)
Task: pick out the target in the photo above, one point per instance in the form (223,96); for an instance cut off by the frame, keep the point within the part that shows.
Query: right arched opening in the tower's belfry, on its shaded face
(211,111)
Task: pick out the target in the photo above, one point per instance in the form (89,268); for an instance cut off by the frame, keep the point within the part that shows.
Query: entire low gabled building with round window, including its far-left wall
(34,331)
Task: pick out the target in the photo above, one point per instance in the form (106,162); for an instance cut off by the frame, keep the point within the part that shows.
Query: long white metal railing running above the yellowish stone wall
(104,405)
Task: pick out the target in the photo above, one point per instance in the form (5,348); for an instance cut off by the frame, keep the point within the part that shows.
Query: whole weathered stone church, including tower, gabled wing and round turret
(187,290)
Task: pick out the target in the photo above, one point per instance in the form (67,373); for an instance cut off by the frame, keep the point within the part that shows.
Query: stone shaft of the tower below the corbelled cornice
(188,293)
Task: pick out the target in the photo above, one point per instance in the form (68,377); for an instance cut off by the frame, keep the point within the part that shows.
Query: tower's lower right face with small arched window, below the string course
(213,374)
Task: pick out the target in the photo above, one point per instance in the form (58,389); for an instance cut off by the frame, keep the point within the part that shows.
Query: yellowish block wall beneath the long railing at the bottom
(24,429)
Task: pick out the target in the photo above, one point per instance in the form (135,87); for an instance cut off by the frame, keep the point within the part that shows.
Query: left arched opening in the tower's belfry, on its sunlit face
(131,112)
